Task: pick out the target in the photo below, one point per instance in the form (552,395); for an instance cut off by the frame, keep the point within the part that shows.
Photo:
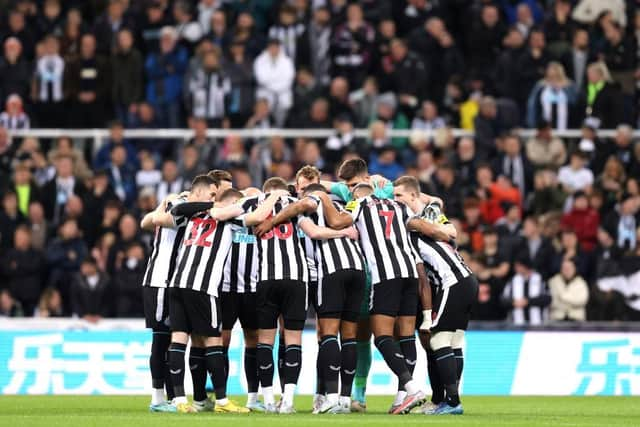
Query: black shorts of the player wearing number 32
(194,312)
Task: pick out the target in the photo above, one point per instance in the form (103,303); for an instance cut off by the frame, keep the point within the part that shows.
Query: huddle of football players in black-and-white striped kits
(373,258)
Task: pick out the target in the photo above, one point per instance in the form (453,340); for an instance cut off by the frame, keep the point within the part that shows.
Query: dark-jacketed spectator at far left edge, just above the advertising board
(23,268)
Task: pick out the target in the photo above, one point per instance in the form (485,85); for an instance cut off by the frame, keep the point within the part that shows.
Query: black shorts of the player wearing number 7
(396,297)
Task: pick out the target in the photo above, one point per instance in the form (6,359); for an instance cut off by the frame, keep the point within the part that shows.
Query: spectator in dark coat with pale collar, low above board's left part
(90,292)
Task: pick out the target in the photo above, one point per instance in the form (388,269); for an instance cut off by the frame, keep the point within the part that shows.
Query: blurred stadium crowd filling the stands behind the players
(545,222)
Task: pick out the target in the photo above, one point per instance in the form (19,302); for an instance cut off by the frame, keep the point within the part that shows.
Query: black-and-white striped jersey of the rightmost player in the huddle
(441,259)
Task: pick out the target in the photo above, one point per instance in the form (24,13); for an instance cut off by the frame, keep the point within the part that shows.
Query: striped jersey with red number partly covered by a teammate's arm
(281,255)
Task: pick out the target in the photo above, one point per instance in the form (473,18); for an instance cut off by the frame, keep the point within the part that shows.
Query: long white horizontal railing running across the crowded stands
(99,135)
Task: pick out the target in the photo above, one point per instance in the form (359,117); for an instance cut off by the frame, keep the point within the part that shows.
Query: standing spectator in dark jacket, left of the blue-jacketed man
(126,70)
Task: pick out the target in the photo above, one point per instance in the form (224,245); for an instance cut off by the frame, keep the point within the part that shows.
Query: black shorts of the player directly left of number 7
(340,295)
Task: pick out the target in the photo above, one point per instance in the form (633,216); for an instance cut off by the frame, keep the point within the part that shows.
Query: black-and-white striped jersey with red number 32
(203,253)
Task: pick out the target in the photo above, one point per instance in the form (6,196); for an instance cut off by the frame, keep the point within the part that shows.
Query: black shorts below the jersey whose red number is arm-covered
(282,297)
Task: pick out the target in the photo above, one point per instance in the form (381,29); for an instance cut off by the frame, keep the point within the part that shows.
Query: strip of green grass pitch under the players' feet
(117,411)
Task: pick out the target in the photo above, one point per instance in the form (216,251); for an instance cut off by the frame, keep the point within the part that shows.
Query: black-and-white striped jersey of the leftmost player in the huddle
(164,251)
